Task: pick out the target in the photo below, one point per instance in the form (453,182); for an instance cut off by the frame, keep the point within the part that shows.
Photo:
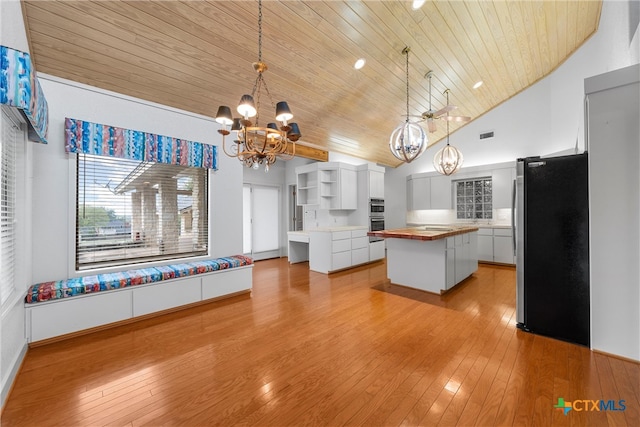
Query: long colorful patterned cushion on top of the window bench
(47,291)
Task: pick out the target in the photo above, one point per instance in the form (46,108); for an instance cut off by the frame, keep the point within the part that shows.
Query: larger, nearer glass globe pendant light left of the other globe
(408,141)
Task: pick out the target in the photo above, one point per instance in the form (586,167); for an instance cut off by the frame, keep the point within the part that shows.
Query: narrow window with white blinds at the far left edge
(9,134)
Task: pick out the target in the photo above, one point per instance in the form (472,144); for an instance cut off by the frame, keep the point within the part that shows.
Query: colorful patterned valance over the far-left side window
(20,88)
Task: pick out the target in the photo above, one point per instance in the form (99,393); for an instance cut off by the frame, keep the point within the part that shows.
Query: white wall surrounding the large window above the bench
(54,170)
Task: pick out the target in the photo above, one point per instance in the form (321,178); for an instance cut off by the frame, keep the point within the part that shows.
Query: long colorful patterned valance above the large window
(103,140)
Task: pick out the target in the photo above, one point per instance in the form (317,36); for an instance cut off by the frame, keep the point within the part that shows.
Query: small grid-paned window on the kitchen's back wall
(474,199)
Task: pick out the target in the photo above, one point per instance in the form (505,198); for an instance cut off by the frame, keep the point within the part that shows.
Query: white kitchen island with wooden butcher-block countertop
(430,258)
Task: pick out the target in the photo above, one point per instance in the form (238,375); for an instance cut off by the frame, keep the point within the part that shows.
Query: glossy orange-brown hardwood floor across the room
(311,349)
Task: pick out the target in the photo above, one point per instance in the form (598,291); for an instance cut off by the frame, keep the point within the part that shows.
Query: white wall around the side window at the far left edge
(13,342)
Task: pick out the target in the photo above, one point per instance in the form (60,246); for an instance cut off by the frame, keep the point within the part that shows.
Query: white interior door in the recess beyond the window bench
(262,221)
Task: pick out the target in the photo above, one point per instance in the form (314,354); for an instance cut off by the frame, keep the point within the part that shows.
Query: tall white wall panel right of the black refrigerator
(614,195)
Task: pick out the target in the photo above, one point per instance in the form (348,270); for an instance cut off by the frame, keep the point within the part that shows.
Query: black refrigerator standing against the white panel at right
(551,208)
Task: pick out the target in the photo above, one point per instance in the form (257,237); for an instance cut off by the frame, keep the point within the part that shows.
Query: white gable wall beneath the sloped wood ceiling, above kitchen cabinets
(545,118)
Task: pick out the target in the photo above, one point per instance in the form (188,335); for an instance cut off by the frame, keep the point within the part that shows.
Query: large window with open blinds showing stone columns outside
(130,212)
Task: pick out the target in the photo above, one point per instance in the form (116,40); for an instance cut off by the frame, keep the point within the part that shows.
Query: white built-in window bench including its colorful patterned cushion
(81,304)
